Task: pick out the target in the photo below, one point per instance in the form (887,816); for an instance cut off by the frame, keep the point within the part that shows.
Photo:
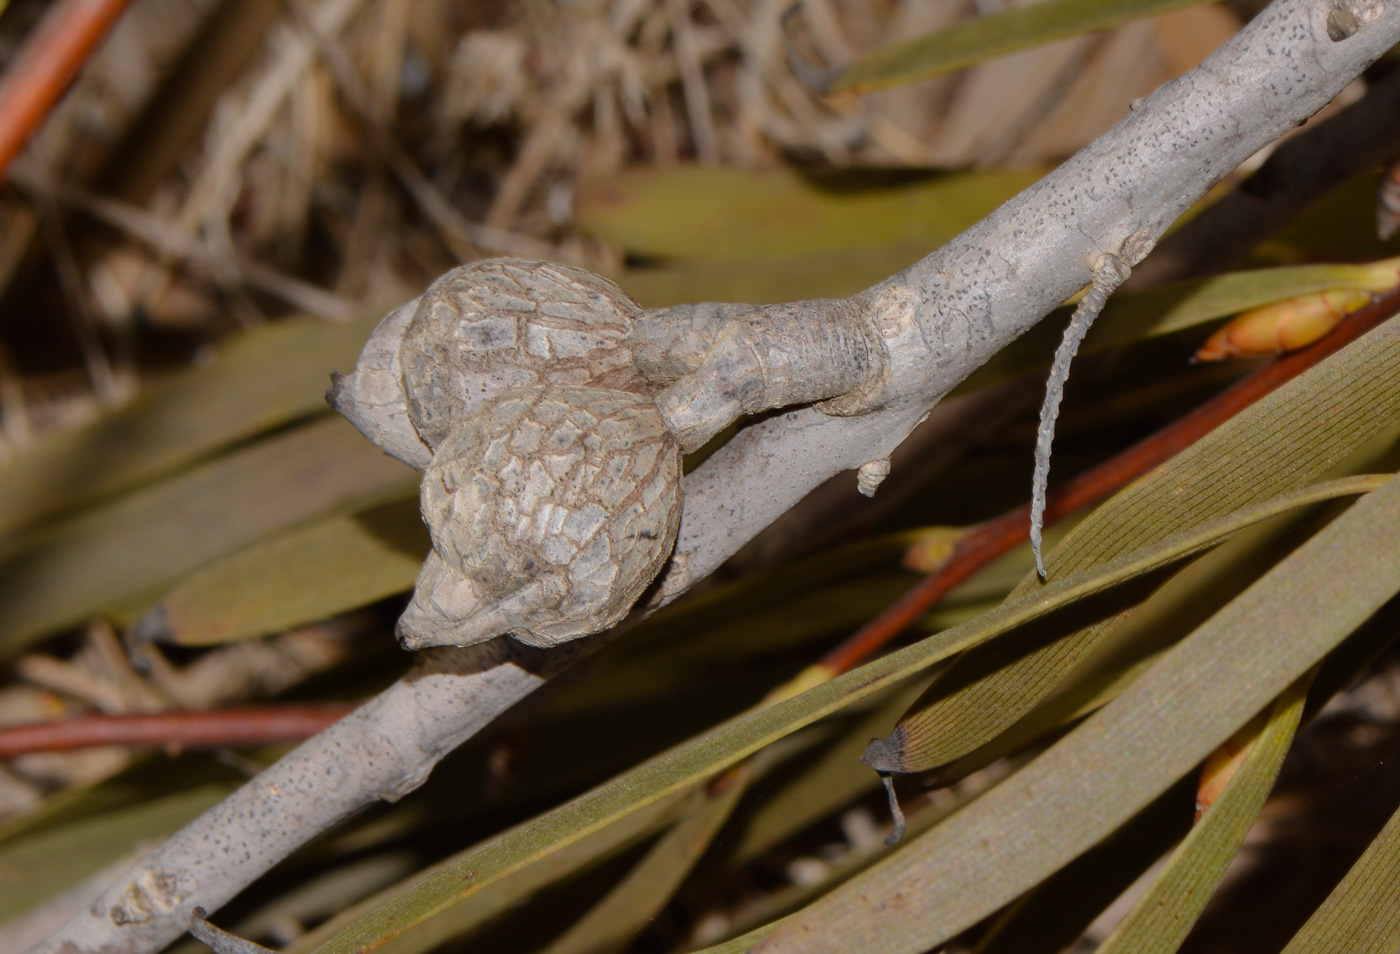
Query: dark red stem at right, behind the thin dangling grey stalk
(993,539)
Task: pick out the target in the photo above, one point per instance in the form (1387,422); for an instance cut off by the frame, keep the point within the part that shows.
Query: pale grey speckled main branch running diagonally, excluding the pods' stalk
(940,319)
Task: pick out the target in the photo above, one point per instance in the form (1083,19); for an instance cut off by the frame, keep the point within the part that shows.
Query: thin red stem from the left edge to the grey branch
(199,729)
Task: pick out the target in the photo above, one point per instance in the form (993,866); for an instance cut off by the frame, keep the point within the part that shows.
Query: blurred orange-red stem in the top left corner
(51,58)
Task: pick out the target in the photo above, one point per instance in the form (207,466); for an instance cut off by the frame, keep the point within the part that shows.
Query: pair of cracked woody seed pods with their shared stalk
(551,415)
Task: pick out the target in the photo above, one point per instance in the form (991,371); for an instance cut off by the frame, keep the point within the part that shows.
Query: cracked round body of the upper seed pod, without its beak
(491,327)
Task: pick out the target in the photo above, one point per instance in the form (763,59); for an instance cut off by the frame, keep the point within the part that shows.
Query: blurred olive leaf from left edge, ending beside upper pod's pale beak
(260,380)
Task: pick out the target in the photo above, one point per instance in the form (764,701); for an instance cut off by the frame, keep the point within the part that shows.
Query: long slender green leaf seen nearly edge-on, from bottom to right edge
(444,900)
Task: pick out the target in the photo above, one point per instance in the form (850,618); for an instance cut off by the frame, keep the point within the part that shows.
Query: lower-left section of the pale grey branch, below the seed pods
(381,752)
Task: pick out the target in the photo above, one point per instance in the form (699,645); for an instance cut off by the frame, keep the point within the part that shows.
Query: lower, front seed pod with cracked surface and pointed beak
(556,506)
